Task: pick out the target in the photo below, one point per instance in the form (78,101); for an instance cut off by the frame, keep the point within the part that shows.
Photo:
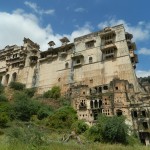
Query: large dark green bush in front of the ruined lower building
(110,129)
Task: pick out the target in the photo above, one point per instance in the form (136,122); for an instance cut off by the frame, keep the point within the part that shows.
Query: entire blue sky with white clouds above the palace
(46,20)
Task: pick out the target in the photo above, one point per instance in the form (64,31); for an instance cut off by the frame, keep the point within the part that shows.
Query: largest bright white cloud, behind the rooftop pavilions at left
(17,25)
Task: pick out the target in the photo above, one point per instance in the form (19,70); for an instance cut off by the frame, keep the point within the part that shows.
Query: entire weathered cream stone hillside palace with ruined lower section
(96,70)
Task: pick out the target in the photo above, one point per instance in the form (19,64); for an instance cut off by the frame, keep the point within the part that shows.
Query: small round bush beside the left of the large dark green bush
(79,126)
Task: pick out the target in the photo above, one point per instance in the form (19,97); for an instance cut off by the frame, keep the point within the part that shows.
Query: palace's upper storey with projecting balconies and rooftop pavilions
(104,45)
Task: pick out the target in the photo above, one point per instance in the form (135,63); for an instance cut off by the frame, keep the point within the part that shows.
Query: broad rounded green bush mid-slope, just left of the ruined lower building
(62,118)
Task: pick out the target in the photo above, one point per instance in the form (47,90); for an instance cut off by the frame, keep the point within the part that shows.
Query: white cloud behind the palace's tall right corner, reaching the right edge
(140,32)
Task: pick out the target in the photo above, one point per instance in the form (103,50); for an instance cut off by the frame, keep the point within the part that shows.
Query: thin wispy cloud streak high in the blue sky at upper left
(37,9)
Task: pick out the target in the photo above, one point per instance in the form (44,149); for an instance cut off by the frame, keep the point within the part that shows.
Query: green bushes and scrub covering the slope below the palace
(32,121)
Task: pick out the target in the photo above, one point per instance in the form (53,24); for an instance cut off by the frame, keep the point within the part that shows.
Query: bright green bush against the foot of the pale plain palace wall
(53,93)
